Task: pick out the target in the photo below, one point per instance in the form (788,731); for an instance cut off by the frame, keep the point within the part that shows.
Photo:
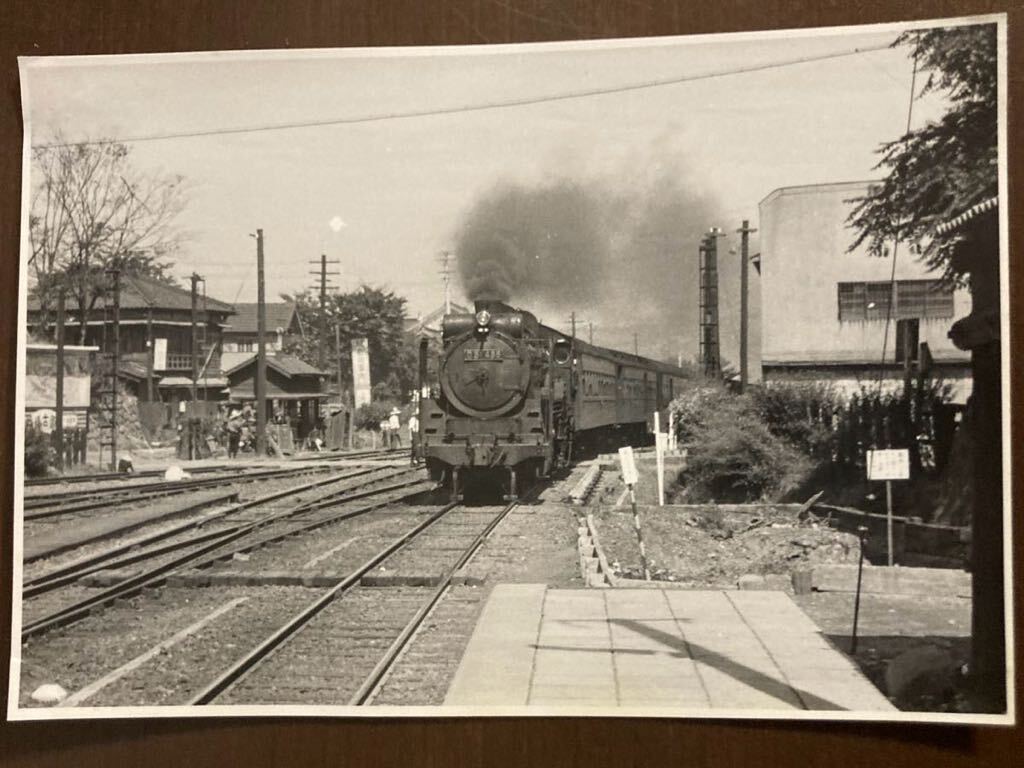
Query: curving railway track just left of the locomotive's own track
(200,549)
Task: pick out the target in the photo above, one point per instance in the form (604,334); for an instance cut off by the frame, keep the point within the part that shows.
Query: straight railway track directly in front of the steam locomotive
(362,629)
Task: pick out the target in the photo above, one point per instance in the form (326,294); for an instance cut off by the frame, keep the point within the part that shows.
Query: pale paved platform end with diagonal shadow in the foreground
(665,649)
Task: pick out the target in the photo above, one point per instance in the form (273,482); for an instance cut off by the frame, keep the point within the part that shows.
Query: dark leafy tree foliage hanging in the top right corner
(941,170)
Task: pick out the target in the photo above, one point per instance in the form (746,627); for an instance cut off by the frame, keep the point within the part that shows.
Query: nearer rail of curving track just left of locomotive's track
(158,575)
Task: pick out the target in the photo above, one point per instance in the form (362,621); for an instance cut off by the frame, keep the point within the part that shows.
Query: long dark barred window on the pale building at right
(911,298)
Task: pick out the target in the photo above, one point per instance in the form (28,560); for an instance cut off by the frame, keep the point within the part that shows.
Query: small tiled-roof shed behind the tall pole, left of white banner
(295,392)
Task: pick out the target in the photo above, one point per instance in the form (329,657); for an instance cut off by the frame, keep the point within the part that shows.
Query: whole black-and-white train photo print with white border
(662,377)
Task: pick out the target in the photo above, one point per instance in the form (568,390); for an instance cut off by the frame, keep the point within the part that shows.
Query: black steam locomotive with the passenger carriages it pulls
(514,400)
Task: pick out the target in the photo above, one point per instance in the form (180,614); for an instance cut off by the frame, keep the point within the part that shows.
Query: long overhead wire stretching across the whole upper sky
(473,108)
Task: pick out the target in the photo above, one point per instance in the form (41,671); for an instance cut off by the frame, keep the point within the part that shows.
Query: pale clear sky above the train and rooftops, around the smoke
(399,190)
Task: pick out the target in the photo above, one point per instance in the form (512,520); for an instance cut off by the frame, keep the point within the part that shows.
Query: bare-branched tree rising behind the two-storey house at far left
(93,211)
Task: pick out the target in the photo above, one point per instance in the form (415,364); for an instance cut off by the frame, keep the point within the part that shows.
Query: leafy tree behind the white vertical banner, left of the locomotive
(371,313)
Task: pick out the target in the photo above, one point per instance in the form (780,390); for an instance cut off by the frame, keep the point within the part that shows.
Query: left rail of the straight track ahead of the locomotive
(252,660)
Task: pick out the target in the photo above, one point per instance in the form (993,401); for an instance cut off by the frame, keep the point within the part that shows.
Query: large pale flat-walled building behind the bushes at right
(825,308)
